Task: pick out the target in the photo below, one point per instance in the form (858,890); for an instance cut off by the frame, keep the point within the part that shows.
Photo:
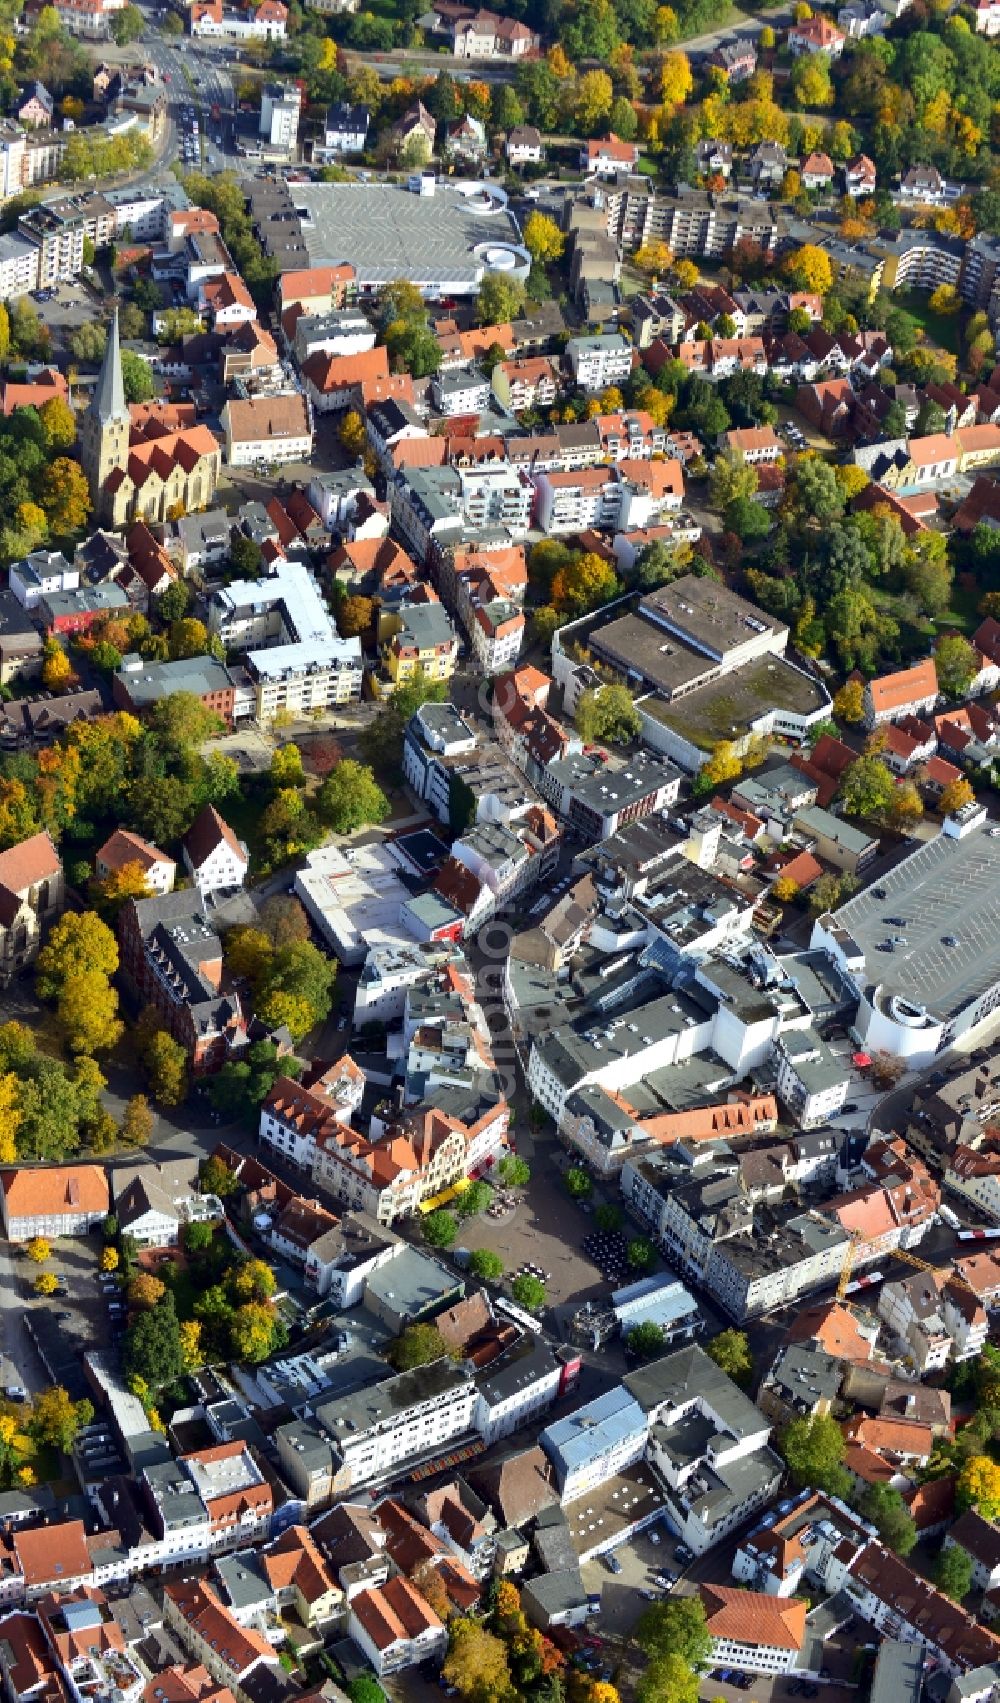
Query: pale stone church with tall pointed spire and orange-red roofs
(146,464)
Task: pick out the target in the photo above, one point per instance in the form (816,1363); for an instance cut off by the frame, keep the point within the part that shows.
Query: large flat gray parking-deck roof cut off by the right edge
(946,888)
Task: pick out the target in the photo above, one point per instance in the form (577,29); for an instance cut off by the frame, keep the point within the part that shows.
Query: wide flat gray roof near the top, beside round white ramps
(388,232)
